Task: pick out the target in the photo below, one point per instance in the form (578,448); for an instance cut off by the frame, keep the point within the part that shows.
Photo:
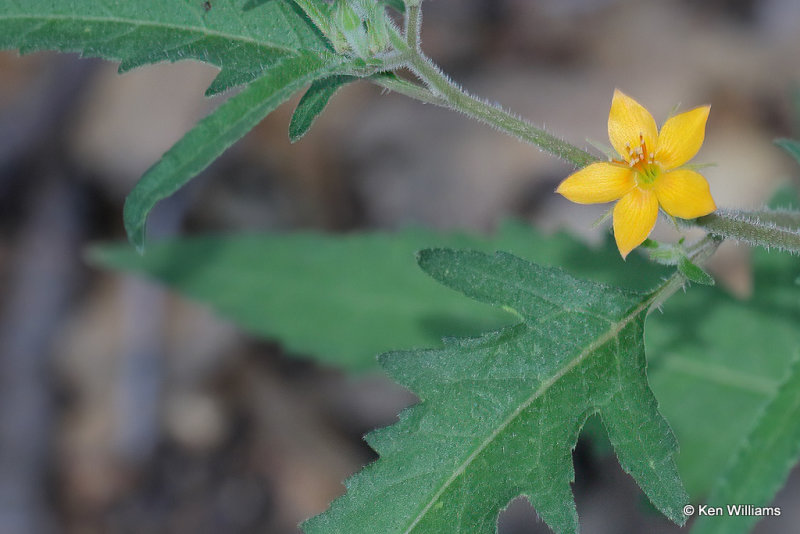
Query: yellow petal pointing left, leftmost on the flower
(599,182)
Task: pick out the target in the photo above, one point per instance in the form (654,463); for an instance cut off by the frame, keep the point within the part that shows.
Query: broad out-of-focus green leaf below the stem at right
(715,361)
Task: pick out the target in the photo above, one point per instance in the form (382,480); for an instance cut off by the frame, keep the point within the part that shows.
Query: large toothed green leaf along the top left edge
(138,32)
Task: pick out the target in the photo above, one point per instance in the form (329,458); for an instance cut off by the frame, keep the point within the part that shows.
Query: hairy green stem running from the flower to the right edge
(755,228)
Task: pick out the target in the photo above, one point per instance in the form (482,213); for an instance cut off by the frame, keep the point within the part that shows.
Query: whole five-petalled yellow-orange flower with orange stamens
(648,173)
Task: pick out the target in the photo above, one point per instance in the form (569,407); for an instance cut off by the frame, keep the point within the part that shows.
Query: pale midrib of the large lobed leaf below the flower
(610,334)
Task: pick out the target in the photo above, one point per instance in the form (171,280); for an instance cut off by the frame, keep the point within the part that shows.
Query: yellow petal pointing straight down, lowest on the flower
(634,217)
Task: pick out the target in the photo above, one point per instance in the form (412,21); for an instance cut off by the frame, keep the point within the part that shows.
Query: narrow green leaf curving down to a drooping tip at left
(215,133)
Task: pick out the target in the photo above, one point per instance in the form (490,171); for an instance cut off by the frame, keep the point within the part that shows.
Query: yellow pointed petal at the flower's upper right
(681,137)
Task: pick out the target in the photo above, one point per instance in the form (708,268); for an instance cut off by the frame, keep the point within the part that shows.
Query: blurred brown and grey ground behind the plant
(124,408)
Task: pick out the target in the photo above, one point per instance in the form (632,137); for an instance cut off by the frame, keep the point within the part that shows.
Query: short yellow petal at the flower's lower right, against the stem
(684,193)
